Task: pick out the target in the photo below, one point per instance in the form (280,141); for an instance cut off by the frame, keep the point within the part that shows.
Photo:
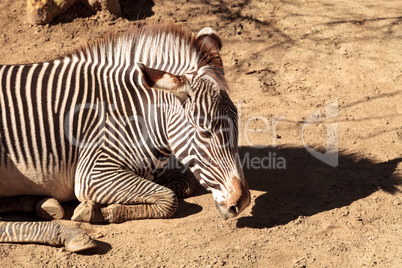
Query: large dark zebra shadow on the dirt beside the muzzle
(297,184)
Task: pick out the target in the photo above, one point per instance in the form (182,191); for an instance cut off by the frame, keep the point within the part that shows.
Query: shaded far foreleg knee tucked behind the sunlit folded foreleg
(180,181)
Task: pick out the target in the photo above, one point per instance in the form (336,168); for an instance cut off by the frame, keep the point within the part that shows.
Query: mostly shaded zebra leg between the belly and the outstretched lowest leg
(46,208)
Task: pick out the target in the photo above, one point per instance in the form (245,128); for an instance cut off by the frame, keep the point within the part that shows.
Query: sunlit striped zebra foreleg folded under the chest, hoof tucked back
(131,197)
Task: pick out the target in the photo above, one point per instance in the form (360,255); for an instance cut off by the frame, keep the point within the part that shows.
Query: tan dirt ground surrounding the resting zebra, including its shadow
(304,75)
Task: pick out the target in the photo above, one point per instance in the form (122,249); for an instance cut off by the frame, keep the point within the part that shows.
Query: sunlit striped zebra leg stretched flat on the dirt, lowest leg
(51,233)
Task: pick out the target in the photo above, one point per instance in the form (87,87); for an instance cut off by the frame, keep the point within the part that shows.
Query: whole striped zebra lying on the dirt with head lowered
(100,125)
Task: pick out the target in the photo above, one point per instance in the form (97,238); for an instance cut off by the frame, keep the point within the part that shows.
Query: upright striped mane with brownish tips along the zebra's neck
(167,47)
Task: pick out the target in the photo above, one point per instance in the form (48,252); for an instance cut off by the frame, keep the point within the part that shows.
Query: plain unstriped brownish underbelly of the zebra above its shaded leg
(17,179)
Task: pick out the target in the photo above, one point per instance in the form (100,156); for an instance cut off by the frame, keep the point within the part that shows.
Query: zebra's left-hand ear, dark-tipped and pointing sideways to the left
(154,78)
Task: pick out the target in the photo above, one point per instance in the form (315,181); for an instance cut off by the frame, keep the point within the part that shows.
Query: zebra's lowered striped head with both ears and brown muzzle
(204,134)
